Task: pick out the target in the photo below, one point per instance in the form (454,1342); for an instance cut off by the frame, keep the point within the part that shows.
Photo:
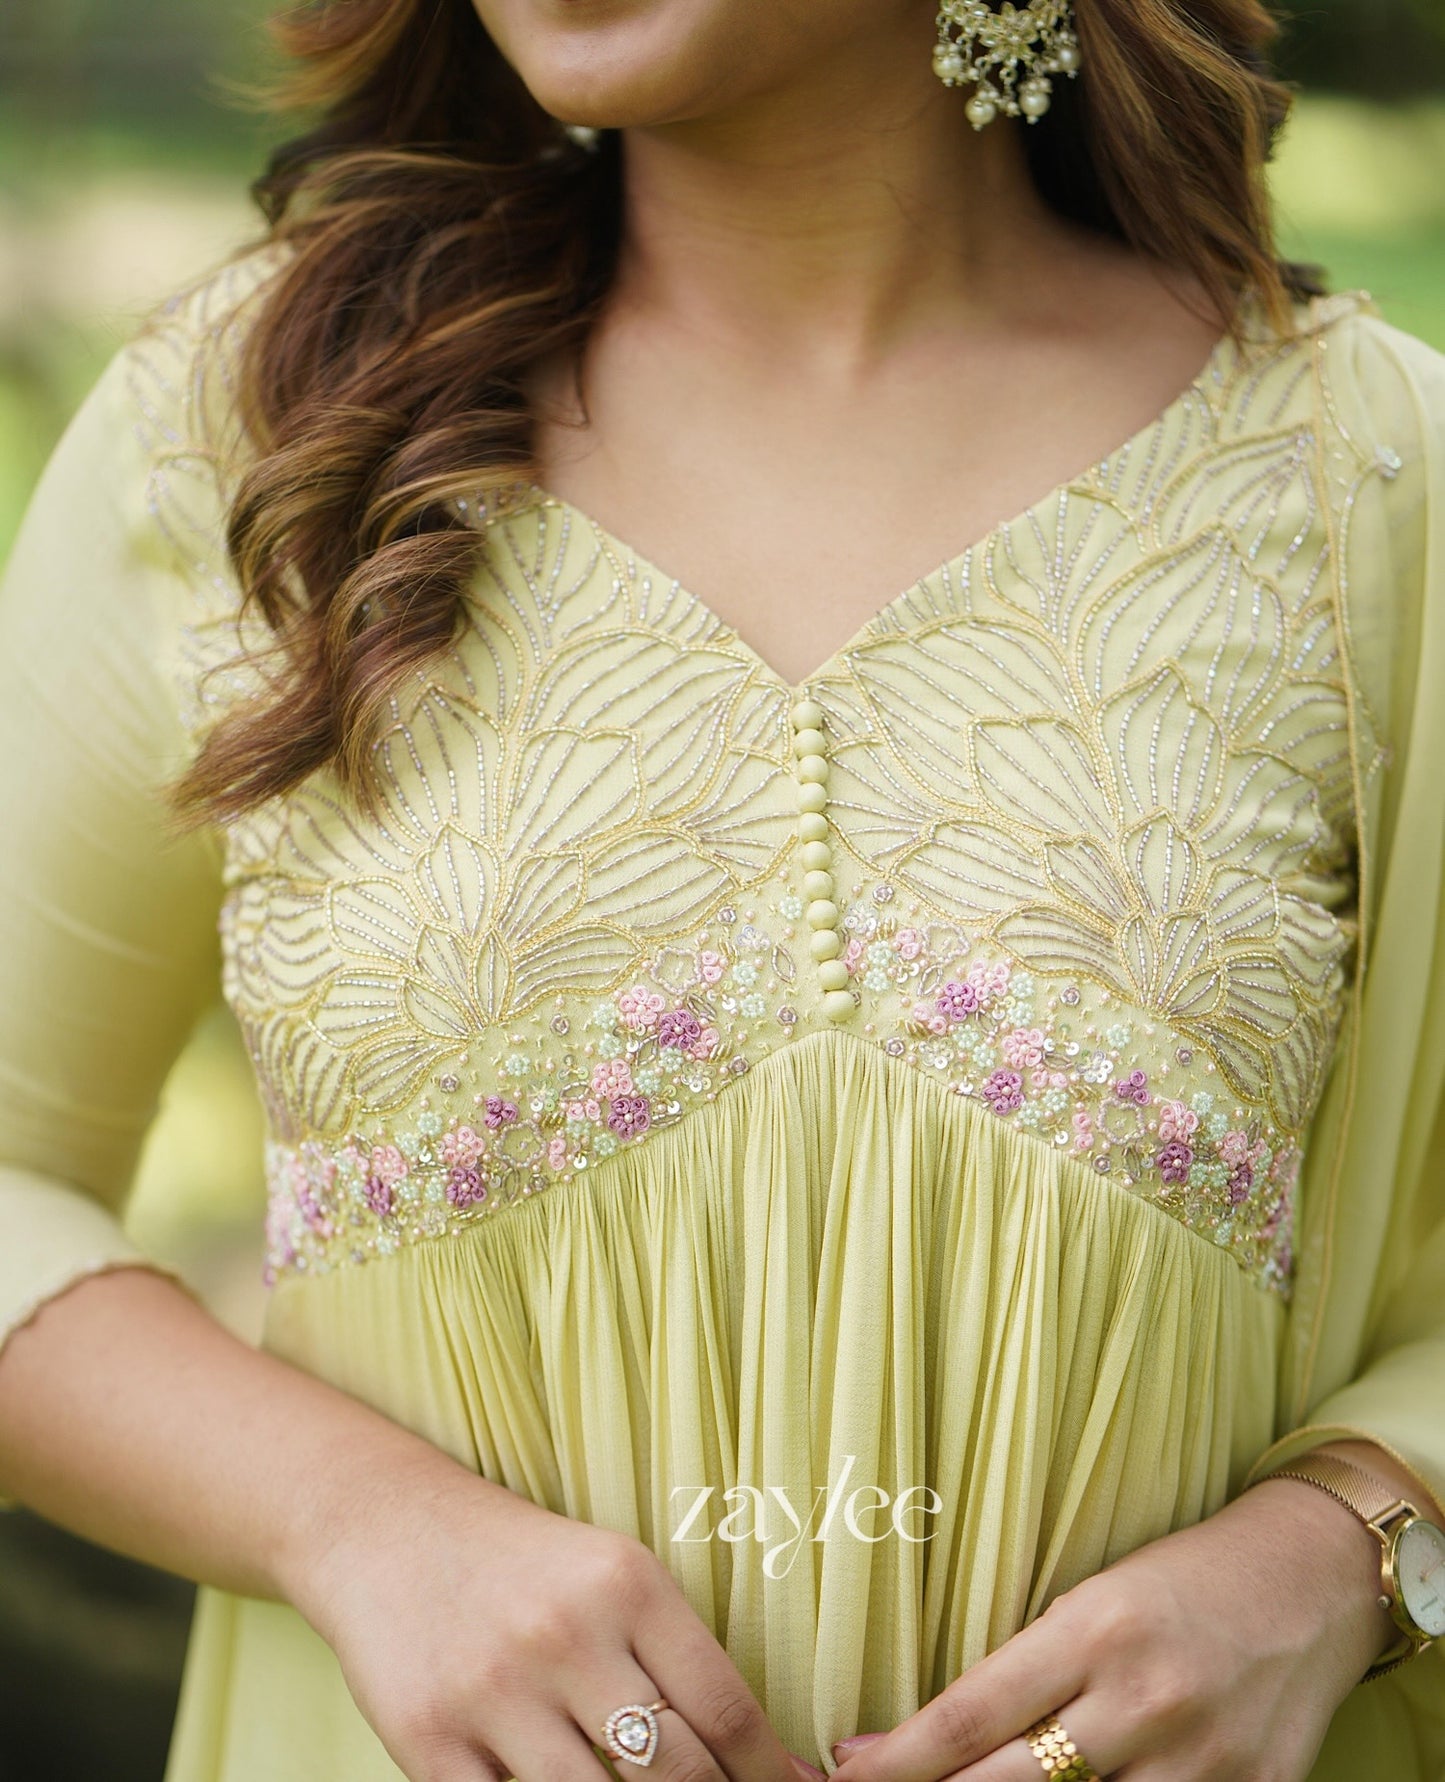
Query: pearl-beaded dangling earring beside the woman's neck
(1008,54)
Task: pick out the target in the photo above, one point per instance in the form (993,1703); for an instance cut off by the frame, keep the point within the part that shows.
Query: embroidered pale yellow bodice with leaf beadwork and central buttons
(1068,835)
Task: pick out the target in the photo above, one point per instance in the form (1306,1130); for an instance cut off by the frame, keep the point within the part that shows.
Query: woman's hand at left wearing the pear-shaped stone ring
(486,1637)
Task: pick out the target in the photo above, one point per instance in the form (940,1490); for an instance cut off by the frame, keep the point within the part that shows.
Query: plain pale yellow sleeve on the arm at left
(108,919)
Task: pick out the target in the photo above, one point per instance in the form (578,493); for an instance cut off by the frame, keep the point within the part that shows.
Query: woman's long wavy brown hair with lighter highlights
(445,236)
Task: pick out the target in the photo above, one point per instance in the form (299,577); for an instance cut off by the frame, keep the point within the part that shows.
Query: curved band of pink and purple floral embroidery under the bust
(1024,1052)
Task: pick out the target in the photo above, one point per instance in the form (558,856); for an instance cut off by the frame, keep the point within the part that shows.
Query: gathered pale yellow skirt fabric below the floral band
(840,1277)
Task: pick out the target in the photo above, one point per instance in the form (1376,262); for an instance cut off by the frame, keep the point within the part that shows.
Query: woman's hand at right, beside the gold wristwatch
(1216,1655)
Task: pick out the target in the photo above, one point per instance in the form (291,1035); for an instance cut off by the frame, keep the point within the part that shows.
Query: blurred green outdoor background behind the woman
(122,176)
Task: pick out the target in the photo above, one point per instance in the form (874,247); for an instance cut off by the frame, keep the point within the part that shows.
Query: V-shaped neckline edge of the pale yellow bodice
(641,568)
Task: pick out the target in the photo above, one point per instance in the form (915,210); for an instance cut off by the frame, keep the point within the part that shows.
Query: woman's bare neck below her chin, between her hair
(837,222)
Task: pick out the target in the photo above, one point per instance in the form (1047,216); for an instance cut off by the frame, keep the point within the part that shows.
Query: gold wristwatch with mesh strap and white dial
(1414,1551)
